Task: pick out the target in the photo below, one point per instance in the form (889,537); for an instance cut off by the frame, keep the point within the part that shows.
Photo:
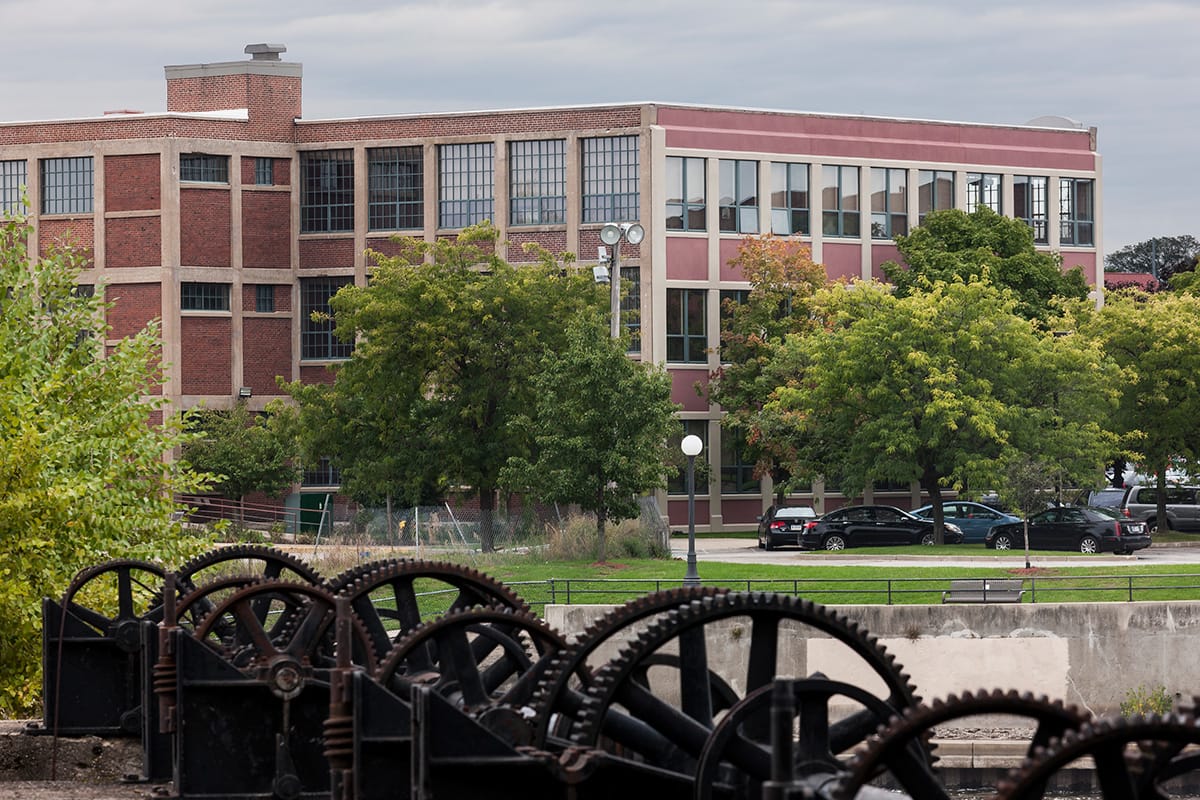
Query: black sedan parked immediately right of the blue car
(1073,528)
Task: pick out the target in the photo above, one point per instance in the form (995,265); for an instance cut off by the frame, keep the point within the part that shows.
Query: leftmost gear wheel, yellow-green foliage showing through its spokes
(116,597)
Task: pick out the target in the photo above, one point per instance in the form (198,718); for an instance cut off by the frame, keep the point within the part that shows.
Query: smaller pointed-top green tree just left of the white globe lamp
(601,425)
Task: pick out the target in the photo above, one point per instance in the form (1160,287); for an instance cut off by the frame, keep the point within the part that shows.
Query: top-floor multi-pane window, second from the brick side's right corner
(538,183)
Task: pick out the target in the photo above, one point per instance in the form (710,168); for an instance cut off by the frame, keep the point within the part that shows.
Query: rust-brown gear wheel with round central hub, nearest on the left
(271,624)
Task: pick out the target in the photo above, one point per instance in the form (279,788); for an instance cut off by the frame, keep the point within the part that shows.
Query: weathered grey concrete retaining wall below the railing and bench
(1090,655)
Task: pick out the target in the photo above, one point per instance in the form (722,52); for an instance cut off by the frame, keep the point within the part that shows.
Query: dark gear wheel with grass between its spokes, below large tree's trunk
(393,599)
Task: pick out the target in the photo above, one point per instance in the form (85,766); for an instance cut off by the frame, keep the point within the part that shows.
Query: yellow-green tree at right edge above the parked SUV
(1154,339)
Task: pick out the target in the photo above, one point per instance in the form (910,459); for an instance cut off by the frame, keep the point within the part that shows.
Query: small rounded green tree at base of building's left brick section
(245,453)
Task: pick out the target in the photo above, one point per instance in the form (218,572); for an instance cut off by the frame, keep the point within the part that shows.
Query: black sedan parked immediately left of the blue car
(872,526)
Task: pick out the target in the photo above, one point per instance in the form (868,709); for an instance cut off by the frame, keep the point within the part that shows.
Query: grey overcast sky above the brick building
(1127,68)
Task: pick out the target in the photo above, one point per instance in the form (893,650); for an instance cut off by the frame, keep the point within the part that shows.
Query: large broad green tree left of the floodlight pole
(448,340)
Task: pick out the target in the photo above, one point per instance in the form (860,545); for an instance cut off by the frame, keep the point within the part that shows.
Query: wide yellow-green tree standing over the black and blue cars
(940,387)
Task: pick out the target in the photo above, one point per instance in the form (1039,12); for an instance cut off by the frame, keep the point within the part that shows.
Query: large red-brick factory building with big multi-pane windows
(231,218)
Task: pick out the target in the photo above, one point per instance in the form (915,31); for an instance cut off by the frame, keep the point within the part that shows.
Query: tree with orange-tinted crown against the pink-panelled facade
(783,280)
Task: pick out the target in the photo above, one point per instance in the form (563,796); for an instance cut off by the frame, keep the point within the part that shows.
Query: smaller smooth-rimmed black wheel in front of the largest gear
(755,742)
